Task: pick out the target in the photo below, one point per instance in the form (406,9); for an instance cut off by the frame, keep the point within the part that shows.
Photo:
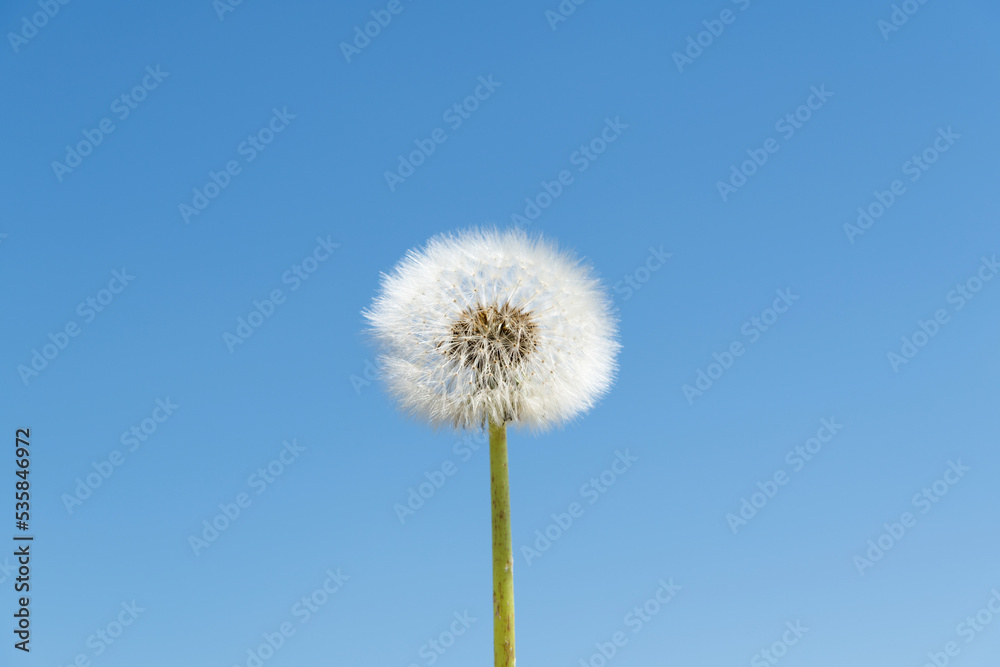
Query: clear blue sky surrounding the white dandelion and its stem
(232,160)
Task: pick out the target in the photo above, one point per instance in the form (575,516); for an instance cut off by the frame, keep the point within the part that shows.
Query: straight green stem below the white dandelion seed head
(503,551)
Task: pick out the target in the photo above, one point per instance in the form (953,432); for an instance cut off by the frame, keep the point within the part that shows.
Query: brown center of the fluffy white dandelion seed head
(492,339)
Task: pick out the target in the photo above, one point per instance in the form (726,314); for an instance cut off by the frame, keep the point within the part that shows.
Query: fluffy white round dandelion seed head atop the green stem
(488,325)
